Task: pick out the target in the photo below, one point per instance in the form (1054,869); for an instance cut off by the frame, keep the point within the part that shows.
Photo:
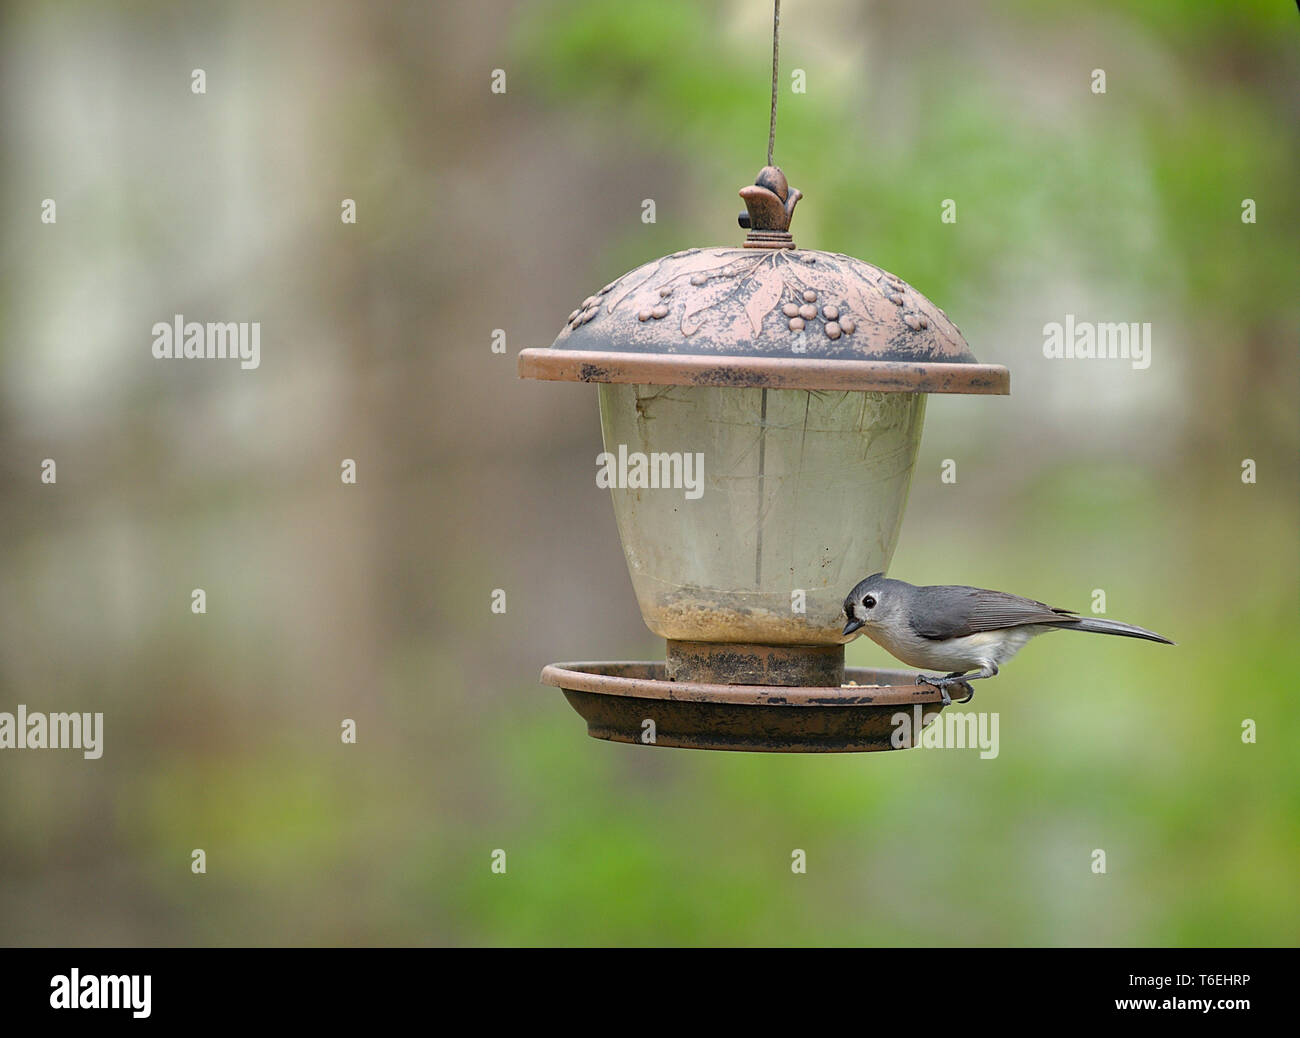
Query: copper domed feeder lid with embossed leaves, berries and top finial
(765,315)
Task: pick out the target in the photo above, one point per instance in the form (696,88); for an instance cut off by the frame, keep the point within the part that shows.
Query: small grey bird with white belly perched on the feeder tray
(956,629)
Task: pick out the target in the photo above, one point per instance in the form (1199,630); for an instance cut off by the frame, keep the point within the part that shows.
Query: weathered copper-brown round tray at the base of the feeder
(617,700)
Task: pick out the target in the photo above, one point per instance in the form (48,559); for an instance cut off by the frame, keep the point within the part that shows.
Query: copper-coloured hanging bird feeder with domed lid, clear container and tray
(792,386)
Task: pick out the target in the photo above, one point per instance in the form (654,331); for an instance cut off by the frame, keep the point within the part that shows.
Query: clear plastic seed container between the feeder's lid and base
(748,514)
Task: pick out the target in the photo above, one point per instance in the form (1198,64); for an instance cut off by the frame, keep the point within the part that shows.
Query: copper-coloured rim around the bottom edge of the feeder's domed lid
(764,373)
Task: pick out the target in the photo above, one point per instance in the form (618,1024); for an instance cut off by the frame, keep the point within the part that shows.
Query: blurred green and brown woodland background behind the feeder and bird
(480,211)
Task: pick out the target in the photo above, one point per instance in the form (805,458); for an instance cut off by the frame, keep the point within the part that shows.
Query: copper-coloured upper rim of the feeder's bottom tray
(595,677)
